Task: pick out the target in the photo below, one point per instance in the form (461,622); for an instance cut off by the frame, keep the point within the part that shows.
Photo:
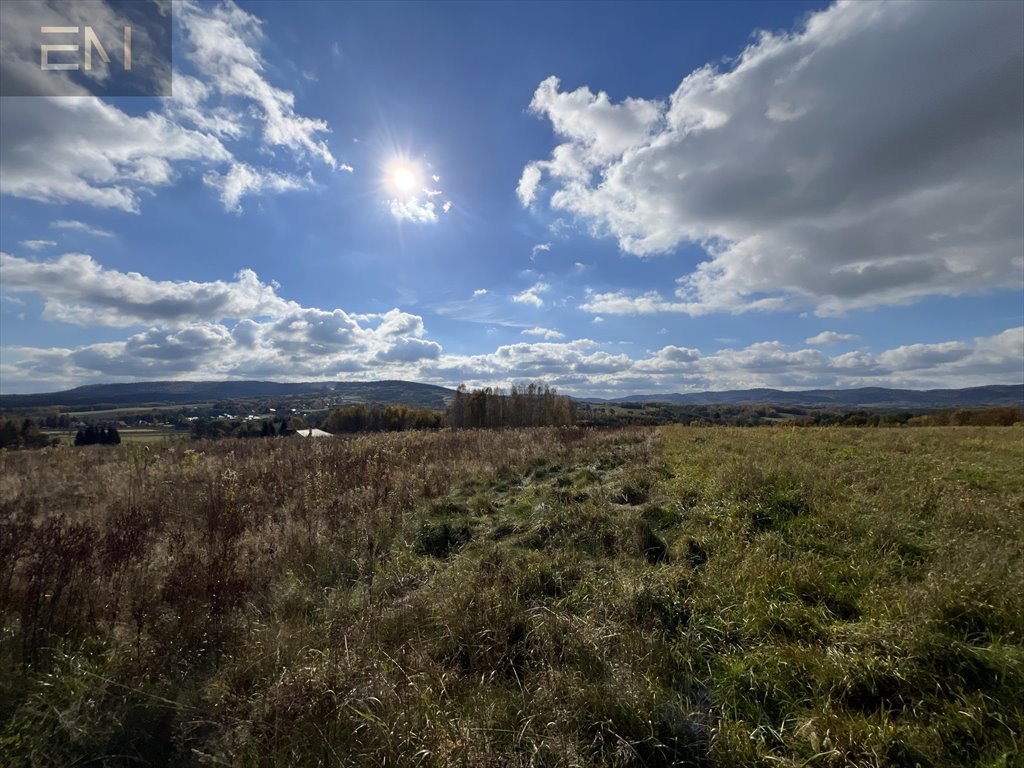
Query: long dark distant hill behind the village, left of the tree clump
(405,393)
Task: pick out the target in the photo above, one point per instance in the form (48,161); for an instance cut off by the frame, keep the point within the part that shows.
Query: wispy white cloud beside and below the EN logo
(89,151)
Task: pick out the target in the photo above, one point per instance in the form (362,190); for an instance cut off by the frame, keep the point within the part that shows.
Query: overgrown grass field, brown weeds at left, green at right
(686,596)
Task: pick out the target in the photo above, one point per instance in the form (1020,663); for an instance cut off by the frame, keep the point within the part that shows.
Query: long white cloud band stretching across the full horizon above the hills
(244,329)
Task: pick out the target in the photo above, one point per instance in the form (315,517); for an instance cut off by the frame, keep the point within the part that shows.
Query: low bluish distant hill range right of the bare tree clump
(1009,395)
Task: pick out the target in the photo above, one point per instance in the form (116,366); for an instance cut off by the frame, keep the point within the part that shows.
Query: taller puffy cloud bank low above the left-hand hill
(221,329)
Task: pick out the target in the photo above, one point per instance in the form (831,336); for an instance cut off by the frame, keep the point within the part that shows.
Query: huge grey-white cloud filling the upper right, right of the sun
(871,157)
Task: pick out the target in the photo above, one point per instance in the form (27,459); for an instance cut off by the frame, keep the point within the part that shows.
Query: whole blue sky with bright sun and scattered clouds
(613,198)
